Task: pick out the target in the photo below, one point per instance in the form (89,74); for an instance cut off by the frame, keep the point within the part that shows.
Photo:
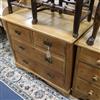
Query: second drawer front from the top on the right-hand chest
(89,73)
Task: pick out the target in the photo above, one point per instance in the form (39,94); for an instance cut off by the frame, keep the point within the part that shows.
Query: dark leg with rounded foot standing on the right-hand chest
(96,26)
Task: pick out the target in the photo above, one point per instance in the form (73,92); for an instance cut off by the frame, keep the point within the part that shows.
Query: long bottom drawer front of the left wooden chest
(38,68)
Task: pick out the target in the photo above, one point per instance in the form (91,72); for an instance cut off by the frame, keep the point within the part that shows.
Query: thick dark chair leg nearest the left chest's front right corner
(77,17)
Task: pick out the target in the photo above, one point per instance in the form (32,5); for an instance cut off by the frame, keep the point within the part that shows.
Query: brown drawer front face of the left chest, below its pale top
(30,50)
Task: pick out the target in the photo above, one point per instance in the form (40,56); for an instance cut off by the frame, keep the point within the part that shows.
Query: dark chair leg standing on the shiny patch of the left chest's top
(34,11)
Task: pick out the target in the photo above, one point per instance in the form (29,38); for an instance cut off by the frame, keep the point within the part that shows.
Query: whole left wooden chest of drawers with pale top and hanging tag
(44,50)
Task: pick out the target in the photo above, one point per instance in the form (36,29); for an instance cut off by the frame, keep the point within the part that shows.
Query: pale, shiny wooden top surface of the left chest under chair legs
(55,25)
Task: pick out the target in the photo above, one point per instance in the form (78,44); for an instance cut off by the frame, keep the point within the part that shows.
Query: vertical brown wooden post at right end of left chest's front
(69,62)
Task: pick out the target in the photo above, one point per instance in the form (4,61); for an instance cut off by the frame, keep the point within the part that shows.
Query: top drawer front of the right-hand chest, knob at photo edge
(90,57)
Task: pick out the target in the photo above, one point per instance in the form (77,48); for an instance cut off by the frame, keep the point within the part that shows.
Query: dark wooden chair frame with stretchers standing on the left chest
(49,4)
